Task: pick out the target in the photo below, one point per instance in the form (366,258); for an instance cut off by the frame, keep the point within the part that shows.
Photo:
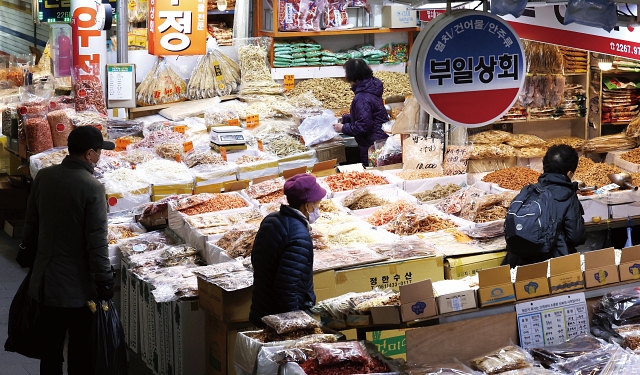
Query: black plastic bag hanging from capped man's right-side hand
(108,347)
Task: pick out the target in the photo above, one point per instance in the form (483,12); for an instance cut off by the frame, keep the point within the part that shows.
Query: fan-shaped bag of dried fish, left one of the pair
(161,85)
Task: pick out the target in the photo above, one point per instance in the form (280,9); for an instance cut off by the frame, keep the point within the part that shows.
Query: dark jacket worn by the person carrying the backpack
(568,212)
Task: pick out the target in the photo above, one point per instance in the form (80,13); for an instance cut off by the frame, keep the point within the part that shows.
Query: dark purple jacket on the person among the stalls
(367,114)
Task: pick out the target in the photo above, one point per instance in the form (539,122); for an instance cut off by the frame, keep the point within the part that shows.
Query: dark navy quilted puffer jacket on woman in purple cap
(282,259)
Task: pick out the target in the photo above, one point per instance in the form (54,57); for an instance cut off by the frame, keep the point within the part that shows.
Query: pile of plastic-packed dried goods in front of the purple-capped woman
(294,343)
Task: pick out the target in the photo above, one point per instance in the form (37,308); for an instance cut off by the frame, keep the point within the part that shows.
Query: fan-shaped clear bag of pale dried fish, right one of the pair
(215,74)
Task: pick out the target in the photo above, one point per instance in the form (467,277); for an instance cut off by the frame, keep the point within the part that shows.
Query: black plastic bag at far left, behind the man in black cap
(24,330)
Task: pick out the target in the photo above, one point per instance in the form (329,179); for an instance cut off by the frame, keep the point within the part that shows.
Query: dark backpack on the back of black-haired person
(530,226)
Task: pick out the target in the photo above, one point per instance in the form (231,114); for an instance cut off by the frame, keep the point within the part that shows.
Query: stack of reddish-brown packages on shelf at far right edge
(619,100)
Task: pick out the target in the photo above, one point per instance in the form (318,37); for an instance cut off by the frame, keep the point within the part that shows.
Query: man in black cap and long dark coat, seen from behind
(67,217)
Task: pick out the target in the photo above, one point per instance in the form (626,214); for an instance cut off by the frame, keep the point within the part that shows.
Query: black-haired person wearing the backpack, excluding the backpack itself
(559,164)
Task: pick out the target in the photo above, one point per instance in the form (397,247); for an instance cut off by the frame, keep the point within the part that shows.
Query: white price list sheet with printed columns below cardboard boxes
(552,321)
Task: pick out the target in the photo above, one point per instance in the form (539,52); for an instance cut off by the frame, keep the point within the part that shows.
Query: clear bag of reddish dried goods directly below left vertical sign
(88,92)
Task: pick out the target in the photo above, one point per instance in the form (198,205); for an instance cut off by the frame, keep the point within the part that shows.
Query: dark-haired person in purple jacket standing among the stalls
(367,113)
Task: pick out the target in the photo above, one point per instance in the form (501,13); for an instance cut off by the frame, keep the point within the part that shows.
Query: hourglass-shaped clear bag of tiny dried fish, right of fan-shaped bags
(254,67)
